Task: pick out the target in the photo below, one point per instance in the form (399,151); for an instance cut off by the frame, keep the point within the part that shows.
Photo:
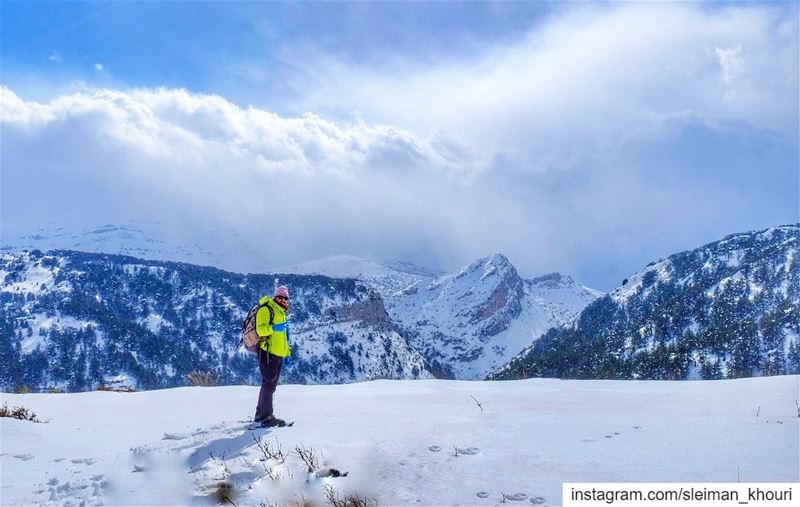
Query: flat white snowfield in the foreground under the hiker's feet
(424,442)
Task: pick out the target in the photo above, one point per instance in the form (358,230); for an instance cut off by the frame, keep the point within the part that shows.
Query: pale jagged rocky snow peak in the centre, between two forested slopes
(468,323)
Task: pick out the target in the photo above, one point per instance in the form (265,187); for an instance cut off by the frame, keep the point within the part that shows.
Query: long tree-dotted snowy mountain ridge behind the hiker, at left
(75,320)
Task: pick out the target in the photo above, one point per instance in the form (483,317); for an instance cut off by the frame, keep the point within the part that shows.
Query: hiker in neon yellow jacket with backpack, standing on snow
(274,349)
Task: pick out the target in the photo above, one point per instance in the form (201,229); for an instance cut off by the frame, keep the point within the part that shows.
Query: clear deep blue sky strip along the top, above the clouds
(198,45)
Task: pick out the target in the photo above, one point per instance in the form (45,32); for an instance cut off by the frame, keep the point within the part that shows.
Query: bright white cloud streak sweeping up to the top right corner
(588,78)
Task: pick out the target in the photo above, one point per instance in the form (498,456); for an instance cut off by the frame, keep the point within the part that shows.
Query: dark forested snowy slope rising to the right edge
(730,308)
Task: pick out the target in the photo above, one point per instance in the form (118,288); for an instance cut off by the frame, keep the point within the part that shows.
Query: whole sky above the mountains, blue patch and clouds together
(586,138)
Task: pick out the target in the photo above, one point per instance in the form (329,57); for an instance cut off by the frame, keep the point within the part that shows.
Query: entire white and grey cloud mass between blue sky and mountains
(602,140)
